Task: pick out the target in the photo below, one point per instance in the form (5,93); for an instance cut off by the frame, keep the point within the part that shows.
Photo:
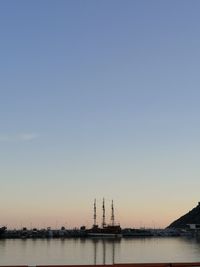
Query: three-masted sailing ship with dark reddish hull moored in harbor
(107,230)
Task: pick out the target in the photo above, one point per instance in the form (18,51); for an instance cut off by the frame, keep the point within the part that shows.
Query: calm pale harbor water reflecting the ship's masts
(98,251)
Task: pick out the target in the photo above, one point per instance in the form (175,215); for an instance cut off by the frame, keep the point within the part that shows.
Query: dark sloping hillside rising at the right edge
(192,217)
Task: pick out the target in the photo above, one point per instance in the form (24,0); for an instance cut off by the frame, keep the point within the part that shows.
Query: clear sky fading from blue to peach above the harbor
(99,99)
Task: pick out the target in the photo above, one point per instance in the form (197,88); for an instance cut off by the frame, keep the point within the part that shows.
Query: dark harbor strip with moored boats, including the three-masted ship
(111,230)
